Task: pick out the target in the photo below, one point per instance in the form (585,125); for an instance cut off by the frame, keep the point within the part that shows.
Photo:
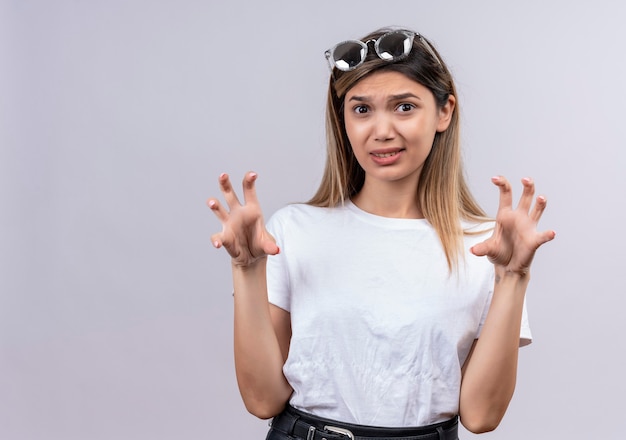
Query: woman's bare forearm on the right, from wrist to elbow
(490,372)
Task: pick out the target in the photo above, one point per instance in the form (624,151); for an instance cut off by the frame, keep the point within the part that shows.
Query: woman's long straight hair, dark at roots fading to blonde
(442,193)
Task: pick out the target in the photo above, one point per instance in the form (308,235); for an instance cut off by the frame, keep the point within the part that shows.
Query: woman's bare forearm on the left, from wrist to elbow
(258,357)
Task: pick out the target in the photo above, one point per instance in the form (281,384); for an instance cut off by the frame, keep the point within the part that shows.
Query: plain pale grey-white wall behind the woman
(118,116)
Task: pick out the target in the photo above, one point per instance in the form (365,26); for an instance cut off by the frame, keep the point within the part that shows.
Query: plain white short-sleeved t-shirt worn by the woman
(380,328)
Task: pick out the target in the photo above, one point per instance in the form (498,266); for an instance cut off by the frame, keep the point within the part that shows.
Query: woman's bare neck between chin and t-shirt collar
(389,200)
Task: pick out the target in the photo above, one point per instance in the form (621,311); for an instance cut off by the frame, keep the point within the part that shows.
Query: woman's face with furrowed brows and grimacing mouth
(391,122)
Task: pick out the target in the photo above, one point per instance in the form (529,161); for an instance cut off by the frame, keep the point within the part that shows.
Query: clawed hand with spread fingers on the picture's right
(515,238)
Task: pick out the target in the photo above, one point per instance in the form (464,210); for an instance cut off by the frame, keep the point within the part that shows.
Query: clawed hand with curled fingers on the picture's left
(243,231)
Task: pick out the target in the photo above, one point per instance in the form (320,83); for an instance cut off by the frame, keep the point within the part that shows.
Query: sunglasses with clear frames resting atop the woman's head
(391,46)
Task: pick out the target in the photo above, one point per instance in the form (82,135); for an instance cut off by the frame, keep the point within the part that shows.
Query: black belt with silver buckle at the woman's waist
(306,426)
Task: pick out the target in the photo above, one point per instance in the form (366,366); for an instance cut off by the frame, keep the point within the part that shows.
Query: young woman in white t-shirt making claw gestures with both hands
(368,312)
